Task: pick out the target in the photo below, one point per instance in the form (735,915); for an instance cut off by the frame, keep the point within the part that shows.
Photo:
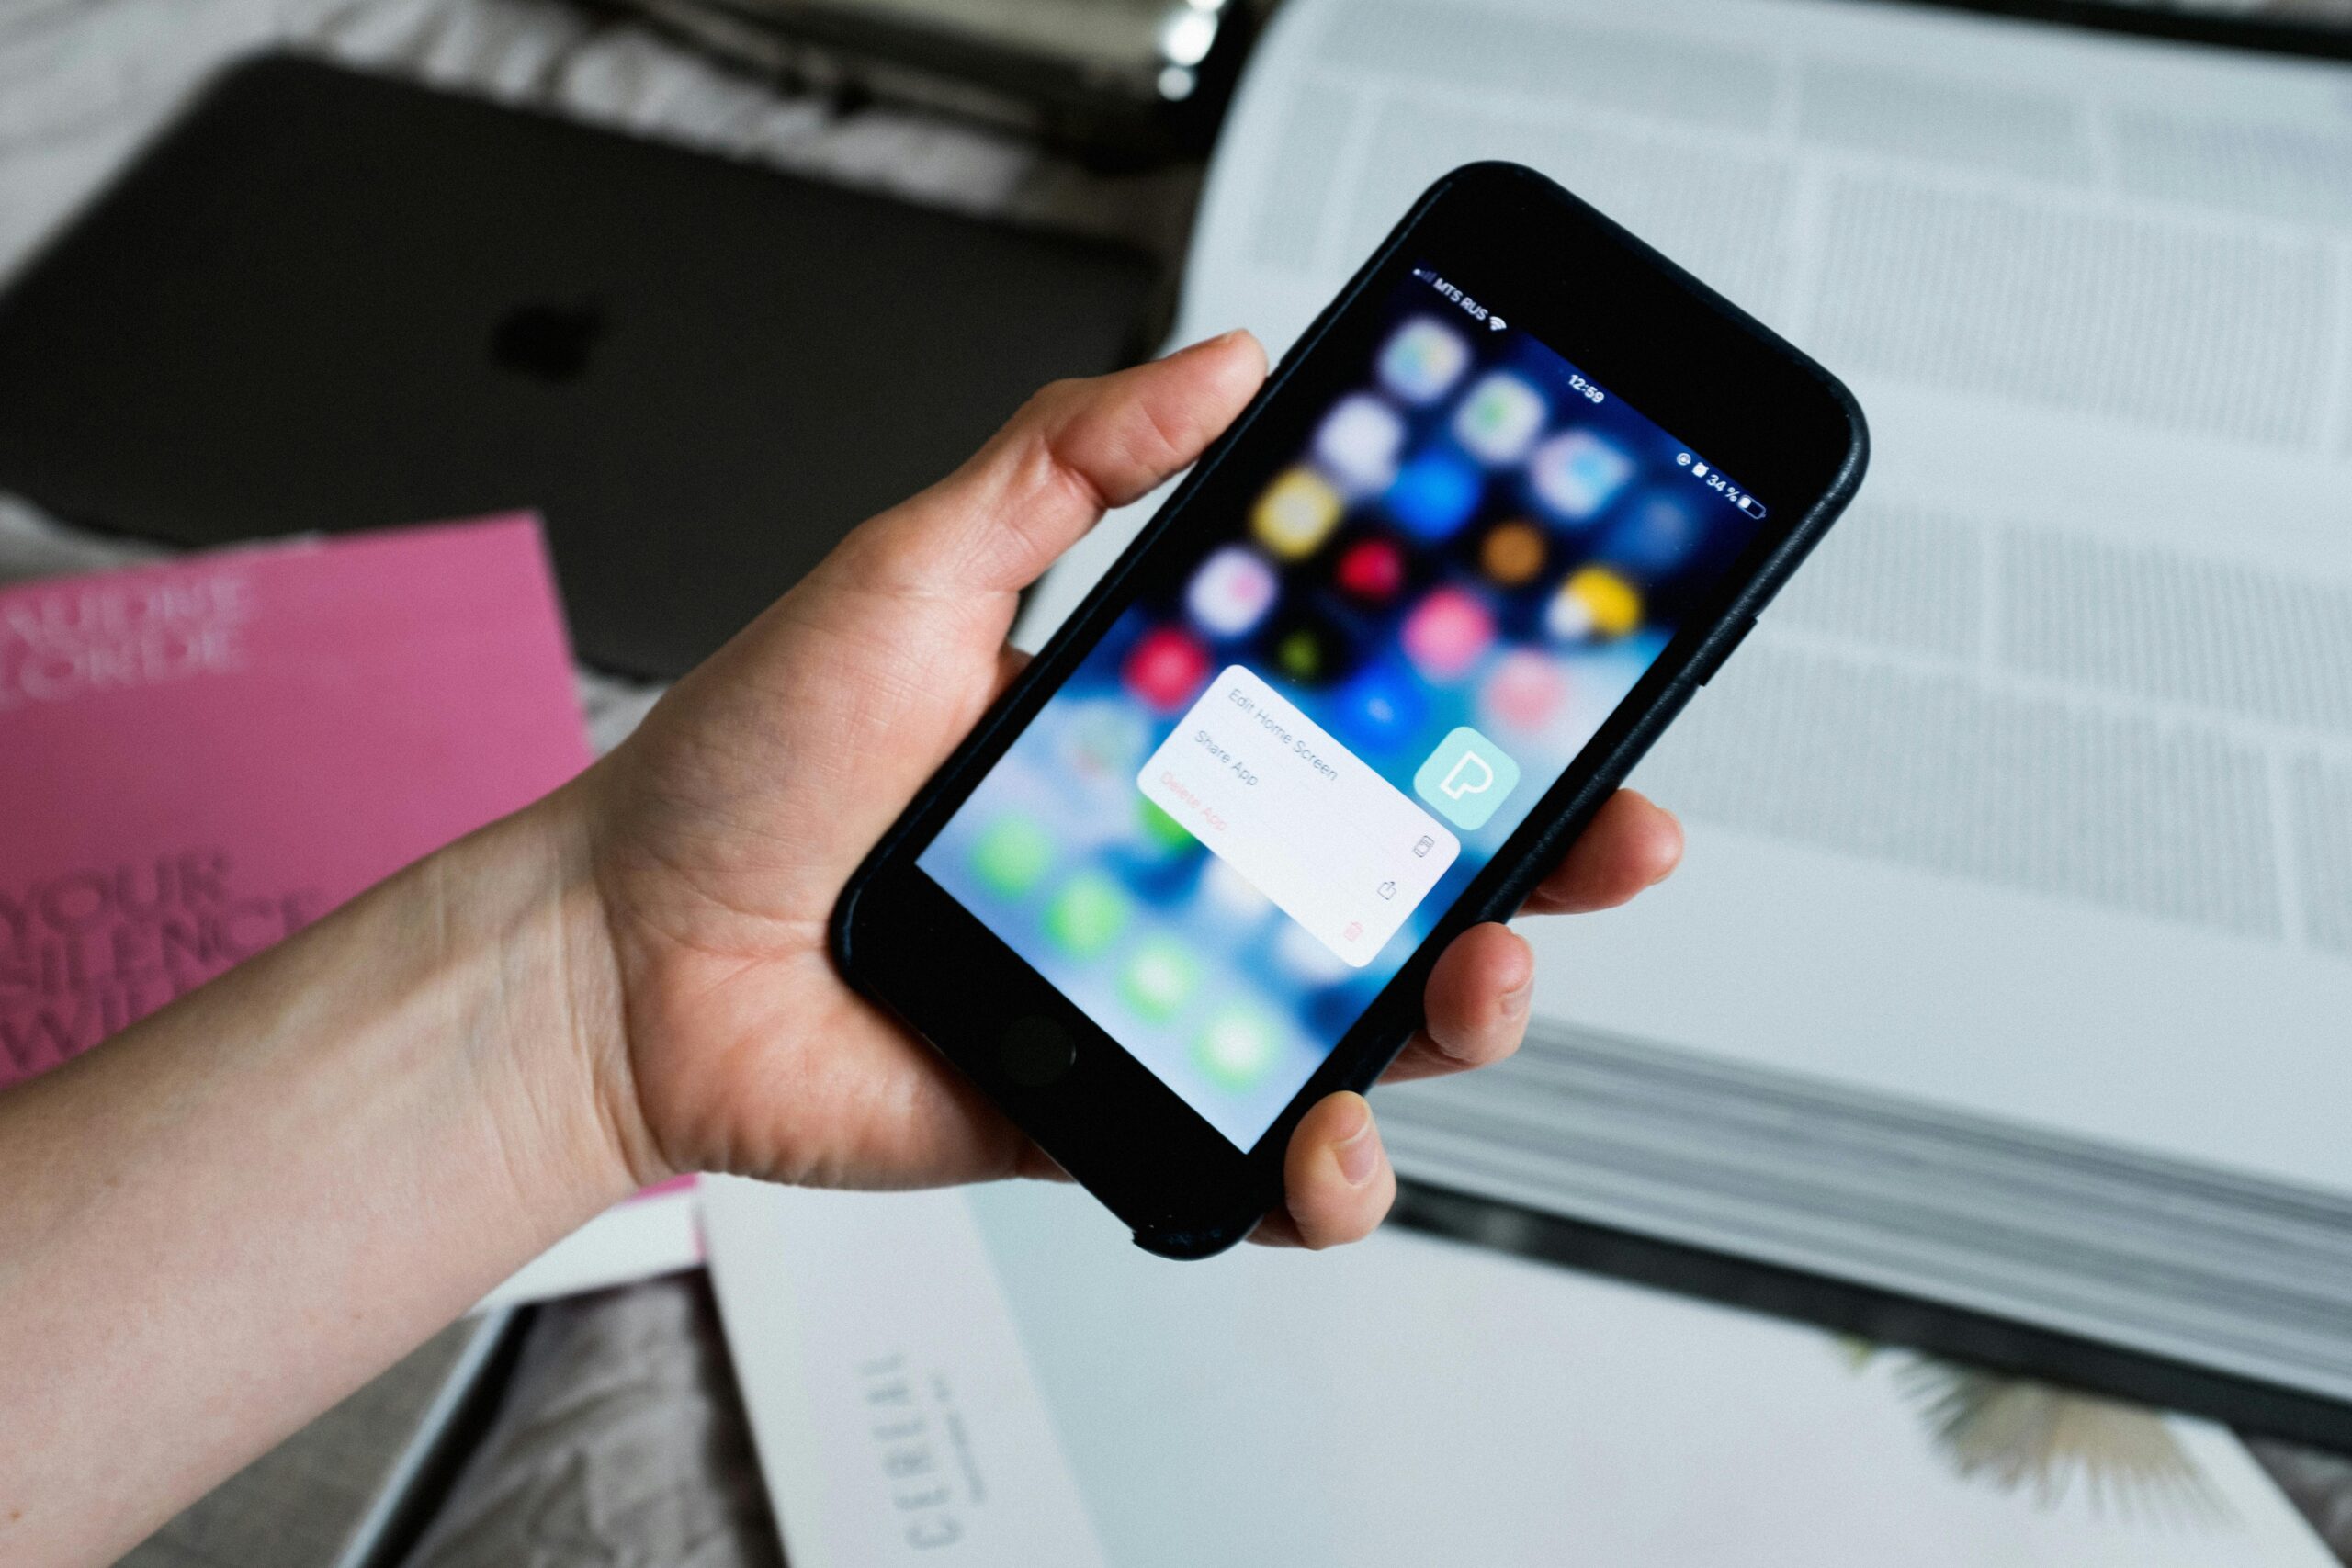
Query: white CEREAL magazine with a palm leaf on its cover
(1401,1402)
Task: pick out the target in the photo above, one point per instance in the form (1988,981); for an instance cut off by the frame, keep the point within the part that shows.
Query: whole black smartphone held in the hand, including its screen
(1356,688)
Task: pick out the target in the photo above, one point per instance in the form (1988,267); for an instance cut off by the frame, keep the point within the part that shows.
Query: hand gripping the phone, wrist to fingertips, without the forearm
(726,829)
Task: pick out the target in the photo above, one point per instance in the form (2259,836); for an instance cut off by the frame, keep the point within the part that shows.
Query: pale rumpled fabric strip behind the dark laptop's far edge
(83,83)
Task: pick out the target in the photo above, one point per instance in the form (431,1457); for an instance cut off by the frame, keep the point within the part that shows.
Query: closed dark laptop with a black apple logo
(335,302)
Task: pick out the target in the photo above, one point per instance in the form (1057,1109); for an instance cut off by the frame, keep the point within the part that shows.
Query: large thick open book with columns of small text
(2012,960)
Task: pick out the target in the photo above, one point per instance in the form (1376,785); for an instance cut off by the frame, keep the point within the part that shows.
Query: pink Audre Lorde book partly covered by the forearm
(203,756)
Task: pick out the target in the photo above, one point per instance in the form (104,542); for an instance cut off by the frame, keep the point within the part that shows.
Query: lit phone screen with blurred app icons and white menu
(1325,713)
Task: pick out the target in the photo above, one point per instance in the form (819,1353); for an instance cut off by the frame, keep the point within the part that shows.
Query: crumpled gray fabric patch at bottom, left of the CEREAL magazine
(622,1445)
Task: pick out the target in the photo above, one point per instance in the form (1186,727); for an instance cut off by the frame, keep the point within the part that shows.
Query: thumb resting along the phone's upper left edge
(1048,476)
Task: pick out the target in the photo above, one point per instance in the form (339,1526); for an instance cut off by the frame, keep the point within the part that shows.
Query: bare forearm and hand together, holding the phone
(243,1207)
